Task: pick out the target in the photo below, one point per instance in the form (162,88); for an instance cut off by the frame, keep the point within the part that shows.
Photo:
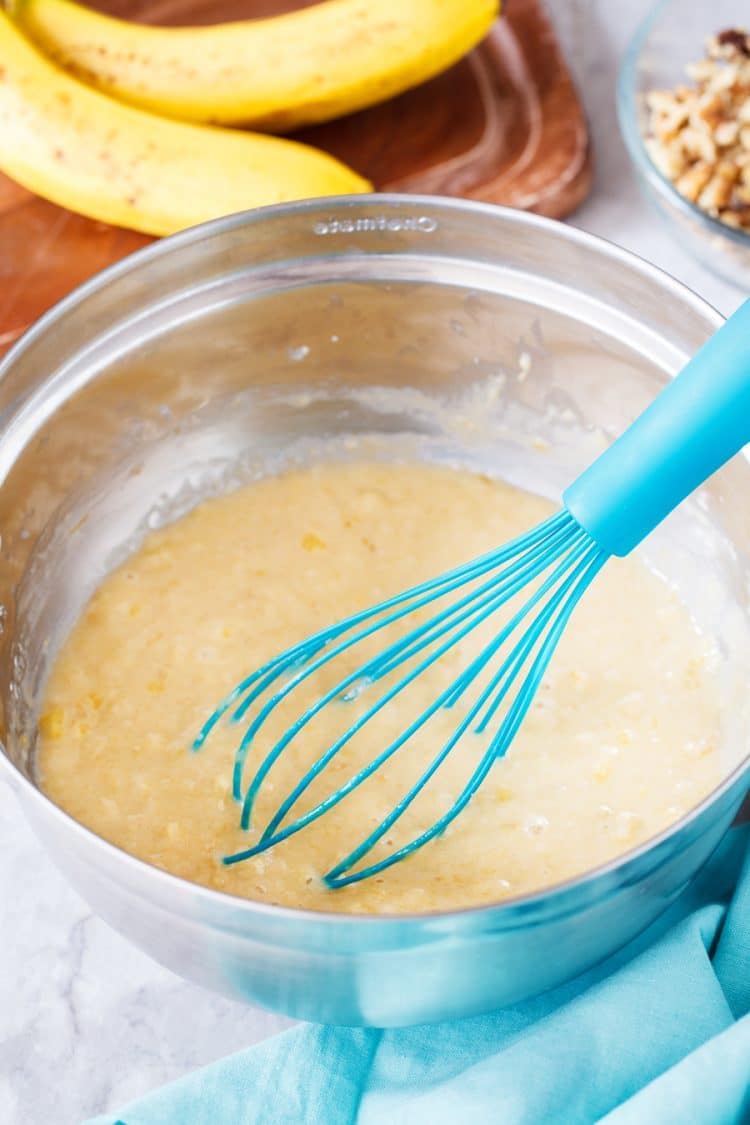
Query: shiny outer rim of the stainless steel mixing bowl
(552,901)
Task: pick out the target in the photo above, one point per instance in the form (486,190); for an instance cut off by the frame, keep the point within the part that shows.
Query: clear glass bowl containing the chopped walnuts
(674,34)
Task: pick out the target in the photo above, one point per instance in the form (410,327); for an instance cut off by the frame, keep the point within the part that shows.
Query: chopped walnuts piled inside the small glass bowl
(699,136)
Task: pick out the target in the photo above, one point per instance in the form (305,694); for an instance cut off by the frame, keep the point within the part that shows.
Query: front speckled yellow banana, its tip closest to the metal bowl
(123,166)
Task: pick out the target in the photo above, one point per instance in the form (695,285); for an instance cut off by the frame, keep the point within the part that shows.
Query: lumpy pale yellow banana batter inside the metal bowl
(621,741)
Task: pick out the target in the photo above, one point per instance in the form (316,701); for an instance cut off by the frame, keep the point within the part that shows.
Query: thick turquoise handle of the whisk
(694,426)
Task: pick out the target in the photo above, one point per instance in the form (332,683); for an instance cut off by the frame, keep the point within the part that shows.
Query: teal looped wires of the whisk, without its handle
(559,546)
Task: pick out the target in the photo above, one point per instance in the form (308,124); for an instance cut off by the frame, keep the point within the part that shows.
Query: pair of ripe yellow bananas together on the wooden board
(64,136)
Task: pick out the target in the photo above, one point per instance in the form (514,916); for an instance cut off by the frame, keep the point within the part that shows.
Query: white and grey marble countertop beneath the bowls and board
(87,1022)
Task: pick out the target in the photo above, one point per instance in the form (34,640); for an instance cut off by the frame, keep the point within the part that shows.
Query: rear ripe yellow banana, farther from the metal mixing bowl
(277,74)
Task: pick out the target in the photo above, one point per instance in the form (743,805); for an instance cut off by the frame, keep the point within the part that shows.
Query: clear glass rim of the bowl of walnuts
(628,115)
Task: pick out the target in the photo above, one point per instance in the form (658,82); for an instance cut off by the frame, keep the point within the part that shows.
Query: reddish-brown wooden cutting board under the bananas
(504,125)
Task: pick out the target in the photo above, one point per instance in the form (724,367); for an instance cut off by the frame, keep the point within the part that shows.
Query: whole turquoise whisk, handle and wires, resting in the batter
(697,425)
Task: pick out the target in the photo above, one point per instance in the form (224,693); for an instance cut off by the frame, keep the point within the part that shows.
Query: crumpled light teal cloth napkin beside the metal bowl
(661,1033)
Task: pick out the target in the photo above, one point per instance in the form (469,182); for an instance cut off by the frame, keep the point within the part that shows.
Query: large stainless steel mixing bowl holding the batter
(436,329)
